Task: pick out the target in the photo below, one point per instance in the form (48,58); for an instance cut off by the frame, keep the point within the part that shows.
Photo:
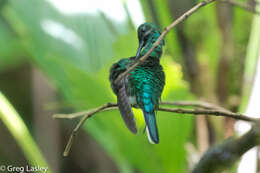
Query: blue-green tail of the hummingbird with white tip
(150,120)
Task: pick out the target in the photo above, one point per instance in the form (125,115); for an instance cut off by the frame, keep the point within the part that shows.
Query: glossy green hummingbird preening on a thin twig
(142,87)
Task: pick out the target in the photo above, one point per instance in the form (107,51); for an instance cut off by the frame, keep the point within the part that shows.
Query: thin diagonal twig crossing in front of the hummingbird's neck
(166,30)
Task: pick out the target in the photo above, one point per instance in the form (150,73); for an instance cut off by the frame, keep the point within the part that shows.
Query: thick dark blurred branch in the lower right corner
(222,156)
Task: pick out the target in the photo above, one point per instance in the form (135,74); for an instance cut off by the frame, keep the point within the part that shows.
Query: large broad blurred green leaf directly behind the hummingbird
(79,71)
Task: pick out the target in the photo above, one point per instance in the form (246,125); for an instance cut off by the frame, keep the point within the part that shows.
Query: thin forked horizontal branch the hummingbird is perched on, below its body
(204,109)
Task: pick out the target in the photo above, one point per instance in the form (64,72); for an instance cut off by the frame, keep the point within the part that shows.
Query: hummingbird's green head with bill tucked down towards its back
(147,33)
